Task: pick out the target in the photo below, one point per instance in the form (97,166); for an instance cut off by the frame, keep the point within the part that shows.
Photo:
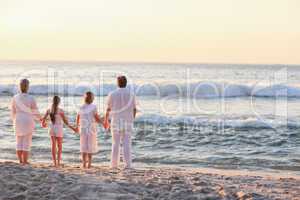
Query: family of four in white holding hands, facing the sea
(119,117)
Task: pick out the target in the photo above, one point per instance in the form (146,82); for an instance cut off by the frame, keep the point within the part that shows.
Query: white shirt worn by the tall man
(122,102)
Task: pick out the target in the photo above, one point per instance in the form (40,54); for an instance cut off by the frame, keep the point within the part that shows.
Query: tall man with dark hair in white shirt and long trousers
(121,107)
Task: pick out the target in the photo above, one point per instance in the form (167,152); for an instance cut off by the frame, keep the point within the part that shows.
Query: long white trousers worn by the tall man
(117,138)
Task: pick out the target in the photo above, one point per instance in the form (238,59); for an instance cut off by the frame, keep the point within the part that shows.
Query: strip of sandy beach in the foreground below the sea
(41,181)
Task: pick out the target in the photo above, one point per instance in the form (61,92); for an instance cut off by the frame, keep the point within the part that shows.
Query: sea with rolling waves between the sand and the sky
(223,116)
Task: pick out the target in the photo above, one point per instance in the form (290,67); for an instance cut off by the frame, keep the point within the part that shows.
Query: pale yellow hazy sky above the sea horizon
(214,31)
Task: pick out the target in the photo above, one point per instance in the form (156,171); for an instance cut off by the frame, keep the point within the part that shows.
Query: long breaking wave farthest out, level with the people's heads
(194,90)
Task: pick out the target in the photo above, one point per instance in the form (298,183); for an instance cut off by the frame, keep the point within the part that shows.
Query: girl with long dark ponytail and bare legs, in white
(58,119)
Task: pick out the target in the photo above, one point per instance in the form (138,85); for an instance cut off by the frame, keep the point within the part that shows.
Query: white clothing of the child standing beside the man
(88,129)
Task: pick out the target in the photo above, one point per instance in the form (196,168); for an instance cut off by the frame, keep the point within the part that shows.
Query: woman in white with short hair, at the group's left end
(24,113)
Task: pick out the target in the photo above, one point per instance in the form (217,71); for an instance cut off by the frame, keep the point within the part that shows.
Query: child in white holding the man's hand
(87,120)
